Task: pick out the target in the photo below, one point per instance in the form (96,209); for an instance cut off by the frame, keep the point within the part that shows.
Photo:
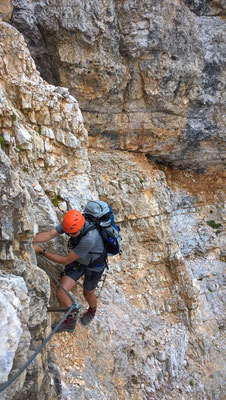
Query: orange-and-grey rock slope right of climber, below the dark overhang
(160,323)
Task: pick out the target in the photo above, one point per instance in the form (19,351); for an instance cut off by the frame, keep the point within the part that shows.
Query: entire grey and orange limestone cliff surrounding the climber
(159,329)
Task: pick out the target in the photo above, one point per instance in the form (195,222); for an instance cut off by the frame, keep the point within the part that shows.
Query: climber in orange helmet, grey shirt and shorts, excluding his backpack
(87,250)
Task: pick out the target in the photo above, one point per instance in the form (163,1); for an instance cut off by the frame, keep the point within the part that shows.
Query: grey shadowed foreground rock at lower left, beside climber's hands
(24,290)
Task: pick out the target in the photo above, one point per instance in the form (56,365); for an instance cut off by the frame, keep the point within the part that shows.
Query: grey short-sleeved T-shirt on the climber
(90,246)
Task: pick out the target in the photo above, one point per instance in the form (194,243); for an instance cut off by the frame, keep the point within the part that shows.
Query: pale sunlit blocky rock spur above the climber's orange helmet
(42,126)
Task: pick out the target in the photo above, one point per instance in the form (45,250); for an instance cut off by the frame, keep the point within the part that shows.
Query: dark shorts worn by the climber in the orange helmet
(92,278)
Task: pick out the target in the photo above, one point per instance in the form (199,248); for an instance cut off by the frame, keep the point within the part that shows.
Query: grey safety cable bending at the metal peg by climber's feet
(74,306)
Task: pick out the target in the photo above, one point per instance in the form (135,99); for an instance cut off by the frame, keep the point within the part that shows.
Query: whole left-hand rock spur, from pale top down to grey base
(39,125)
